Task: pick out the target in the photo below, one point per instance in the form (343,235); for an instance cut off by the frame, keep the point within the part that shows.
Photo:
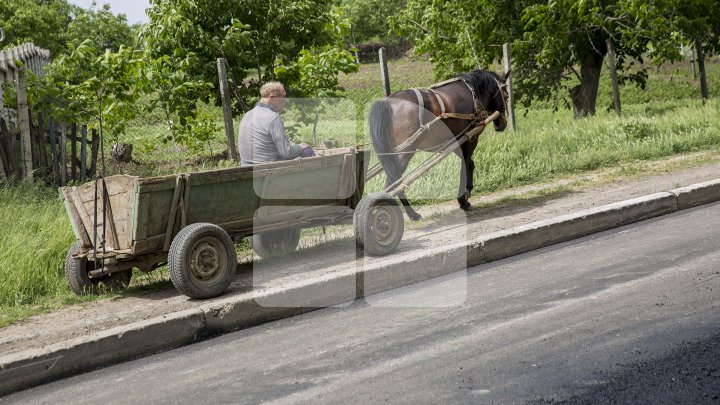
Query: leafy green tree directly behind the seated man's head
(255,36)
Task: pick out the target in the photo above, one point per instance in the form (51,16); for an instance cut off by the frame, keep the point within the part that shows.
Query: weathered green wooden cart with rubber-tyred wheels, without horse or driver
(191,221)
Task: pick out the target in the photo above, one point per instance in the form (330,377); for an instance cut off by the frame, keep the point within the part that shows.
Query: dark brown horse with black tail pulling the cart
(447,110)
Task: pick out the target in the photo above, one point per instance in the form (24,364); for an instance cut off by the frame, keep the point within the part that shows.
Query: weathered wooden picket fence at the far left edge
(34,146)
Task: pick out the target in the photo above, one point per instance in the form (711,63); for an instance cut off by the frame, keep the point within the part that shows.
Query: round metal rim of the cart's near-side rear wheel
(208,260)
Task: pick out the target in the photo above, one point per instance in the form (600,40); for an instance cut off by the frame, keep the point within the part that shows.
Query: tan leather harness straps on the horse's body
(479,113)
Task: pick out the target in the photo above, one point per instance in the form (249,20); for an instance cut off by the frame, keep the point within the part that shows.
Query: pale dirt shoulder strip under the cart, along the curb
(318,256)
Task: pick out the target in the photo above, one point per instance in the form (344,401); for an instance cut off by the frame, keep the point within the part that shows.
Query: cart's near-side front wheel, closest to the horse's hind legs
(378,224)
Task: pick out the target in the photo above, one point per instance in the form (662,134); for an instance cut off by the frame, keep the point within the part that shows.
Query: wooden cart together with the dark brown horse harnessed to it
(191,221)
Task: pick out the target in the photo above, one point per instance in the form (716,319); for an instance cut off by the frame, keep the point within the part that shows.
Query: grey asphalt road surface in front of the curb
(630,315)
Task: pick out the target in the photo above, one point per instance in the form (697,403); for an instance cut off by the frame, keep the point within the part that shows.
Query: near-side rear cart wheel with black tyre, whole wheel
(202,260)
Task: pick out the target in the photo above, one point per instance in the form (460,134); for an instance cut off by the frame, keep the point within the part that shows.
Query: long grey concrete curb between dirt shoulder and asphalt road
(36,366)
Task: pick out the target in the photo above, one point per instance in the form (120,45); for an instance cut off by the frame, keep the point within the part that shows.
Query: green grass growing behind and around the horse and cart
(665,120)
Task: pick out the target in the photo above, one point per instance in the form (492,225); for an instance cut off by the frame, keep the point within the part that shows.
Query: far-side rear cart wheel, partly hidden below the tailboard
(76,272)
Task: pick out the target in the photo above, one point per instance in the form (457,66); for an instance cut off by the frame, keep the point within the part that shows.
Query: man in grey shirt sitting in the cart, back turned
(262,136)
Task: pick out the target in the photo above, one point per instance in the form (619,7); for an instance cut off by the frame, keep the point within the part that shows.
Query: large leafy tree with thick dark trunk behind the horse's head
(556,44)
